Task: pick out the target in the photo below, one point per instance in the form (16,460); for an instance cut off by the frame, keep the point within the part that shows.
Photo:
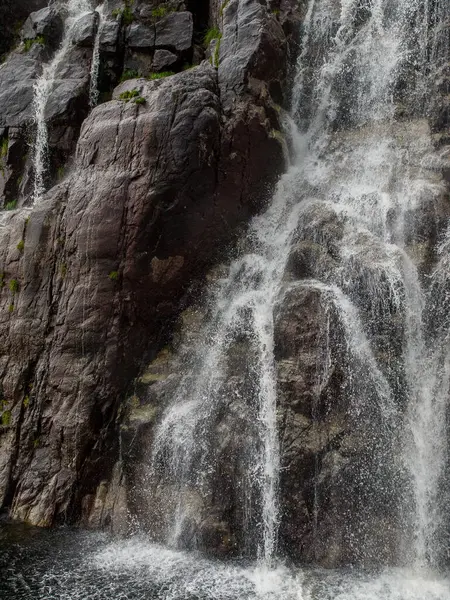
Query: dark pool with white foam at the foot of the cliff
(75,565)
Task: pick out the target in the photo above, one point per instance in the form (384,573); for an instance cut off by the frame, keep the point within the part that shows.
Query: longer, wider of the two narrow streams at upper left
(42,91)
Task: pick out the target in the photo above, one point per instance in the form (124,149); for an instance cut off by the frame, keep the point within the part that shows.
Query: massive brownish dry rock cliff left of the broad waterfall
(93,276)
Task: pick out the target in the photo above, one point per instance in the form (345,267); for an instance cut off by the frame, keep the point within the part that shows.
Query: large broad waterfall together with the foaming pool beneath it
(365,184)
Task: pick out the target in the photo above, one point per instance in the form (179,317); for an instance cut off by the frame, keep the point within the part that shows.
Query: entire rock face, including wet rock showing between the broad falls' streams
(101,280)
